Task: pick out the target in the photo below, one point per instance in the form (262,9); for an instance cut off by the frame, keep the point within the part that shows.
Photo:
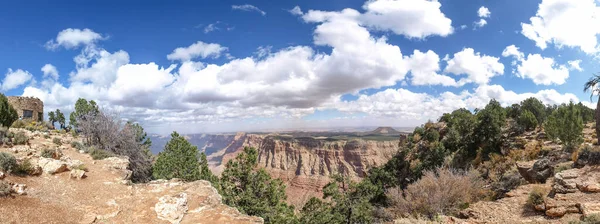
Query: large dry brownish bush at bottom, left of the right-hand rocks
(439,192)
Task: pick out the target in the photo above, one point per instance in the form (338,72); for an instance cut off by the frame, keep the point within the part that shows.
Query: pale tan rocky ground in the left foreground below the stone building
(63,193)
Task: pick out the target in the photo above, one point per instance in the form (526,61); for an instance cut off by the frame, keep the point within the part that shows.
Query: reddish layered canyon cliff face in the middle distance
(305,164)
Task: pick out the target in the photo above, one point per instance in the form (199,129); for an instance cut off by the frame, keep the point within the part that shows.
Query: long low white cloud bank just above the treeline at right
(403,104)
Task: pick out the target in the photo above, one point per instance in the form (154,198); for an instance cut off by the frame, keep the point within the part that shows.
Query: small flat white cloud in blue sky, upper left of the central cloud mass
(198,49)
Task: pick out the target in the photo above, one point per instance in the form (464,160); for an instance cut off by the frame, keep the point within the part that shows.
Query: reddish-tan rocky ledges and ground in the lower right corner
(570,193)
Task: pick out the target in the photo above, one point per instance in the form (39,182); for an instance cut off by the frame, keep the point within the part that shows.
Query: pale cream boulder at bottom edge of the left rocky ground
(171,208)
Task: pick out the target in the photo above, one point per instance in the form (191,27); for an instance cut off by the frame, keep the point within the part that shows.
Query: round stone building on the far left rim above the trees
(28,107)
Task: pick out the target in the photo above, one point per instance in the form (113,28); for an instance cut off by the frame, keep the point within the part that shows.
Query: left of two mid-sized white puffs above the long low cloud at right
(478,68)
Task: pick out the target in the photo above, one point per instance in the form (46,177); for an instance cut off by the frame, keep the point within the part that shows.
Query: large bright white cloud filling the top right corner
(565,23)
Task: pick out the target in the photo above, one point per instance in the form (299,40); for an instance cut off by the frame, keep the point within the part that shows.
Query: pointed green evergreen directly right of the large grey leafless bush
(179,159)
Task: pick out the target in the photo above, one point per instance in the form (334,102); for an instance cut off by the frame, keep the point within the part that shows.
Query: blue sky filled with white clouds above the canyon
(223,66)
